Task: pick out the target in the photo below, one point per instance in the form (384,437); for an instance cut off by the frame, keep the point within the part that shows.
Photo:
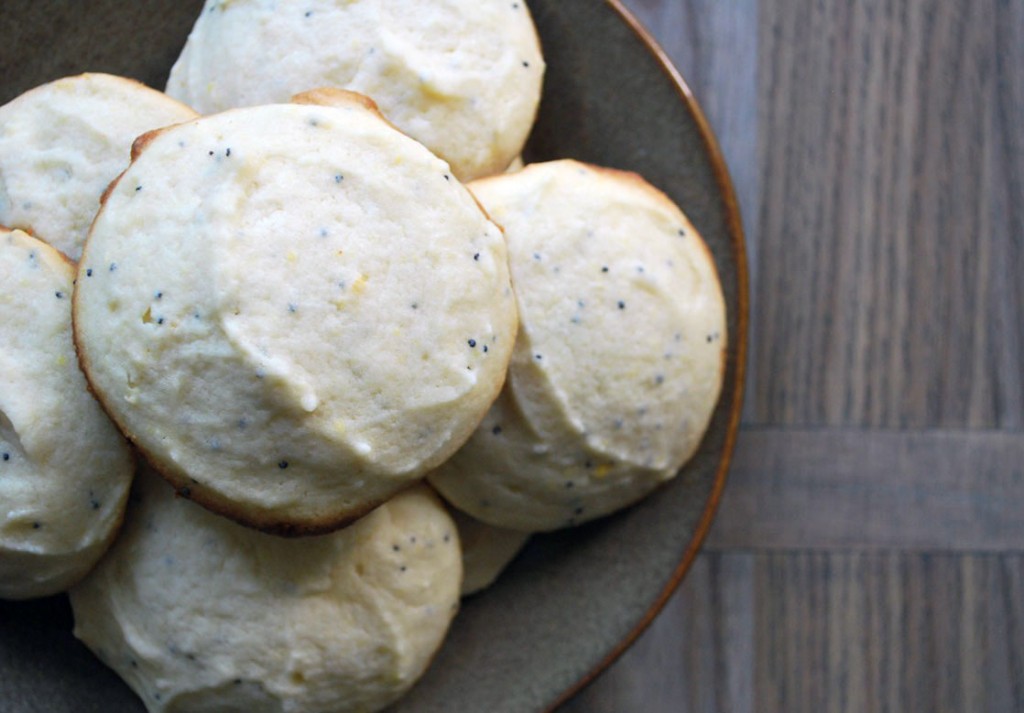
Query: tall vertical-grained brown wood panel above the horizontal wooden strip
(889,291)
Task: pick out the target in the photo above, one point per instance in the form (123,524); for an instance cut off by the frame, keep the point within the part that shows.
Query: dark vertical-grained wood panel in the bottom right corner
(881,633)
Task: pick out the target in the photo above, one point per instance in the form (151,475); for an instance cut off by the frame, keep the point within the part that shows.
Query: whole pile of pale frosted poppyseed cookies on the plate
(303,308)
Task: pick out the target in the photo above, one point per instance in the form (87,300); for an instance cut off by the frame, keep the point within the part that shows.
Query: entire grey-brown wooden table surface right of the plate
(869,553)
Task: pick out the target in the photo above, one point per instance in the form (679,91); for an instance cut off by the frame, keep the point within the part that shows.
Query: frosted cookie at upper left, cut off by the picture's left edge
(63,143)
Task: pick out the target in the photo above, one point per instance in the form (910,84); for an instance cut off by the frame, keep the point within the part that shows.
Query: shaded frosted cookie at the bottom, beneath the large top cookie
(197,613)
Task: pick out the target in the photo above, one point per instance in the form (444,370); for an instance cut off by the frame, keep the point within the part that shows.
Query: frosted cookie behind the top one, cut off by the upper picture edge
(461,76)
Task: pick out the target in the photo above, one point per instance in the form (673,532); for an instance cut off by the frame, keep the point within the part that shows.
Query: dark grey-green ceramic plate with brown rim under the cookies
(573,601)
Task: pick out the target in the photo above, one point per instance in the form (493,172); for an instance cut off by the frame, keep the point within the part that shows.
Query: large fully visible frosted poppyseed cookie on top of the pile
(294,311)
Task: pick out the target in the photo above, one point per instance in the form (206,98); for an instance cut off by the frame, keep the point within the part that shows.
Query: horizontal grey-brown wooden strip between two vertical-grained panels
(835,489)
